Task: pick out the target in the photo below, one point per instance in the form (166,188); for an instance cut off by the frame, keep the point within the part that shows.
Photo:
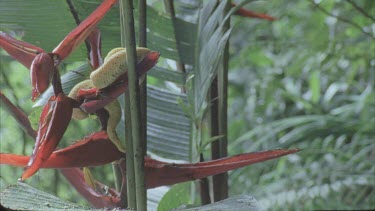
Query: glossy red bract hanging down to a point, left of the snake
(53,122)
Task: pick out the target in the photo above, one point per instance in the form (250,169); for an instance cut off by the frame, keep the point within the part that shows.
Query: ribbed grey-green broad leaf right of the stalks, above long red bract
(168,127)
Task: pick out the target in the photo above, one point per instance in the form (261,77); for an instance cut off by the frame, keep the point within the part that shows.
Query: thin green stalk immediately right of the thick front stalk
(142,42)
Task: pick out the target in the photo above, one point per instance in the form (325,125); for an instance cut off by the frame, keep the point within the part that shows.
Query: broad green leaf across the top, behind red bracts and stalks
(48,30)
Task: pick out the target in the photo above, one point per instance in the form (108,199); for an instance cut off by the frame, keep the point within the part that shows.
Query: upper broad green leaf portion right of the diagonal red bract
(160,33)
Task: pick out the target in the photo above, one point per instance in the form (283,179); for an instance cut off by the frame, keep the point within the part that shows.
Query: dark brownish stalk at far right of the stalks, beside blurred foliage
(219,117)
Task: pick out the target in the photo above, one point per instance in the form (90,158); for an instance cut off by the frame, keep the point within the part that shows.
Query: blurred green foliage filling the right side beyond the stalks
(306,81)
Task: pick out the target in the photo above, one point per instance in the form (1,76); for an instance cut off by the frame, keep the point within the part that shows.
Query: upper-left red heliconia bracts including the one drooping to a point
(57,113)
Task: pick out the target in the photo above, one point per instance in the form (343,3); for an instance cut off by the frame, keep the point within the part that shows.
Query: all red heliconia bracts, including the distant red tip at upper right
(95,149)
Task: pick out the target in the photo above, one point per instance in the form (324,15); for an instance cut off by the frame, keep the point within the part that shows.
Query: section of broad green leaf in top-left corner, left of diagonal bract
(39,22)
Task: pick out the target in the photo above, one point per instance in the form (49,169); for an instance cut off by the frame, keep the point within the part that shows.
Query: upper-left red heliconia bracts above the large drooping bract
(42,66)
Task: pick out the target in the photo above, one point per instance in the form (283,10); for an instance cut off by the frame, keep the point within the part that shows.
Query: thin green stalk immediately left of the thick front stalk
(130,176)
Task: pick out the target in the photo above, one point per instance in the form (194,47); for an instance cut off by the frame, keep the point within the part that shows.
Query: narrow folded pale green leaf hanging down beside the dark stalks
(212,38)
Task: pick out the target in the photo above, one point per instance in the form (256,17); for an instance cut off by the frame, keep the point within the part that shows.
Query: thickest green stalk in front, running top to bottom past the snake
(141,194)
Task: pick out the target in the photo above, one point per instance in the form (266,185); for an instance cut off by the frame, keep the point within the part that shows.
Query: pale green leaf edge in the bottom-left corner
(24,197)
